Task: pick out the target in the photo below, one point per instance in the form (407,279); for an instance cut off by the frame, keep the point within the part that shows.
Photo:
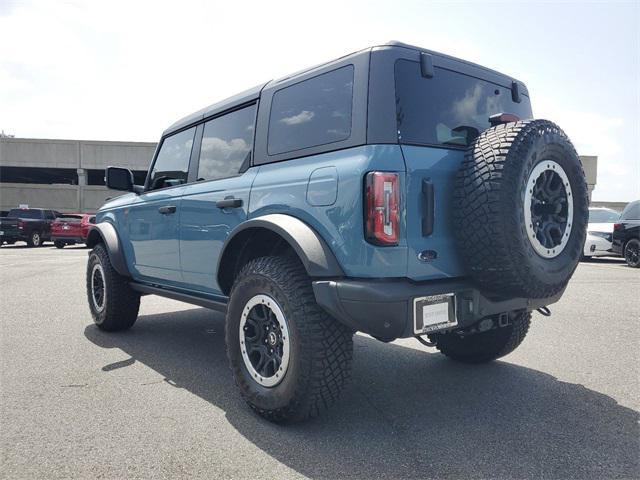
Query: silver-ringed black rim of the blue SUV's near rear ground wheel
(264,340)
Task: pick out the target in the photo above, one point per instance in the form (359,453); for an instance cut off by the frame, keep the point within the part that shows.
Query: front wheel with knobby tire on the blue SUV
(114,305)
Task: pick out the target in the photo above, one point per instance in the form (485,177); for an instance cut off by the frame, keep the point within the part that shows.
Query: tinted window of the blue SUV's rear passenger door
(226,144)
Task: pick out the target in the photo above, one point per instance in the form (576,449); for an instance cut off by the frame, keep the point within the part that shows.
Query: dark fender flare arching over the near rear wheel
(313,251)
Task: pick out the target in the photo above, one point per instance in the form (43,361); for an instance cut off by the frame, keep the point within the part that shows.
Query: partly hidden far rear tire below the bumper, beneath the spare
(486,346)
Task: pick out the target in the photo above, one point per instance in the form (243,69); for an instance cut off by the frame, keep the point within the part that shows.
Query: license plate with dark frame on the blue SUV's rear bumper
(434,313)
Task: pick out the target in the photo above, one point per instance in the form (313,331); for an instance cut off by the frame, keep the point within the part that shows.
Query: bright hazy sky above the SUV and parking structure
(112,70)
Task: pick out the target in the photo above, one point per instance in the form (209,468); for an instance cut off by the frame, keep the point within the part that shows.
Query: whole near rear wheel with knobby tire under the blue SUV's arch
(320,349)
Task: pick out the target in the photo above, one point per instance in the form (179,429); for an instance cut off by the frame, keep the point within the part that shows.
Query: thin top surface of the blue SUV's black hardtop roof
(254,93)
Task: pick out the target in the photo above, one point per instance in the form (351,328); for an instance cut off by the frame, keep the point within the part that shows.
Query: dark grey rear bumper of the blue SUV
(384,308)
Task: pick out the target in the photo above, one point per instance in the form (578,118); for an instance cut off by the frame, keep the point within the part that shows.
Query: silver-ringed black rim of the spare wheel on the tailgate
(548,209)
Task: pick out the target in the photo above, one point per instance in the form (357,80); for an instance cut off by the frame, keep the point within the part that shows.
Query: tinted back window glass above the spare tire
(449,109)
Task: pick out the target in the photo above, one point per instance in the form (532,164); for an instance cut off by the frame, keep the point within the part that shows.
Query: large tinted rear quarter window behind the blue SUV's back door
(313,112)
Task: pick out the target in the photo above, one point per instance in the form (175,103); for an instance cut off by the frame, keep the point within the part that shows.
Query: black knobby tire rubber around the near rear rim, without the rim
(330,344)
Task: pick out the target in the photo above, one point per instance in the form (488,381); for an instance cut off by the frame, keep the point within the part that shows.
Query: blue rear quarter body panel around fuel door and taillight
(282,188)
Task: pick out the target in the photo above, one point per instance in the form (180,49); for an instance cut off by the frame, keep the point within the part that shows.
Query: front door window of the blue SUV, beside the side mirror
(172,163)
